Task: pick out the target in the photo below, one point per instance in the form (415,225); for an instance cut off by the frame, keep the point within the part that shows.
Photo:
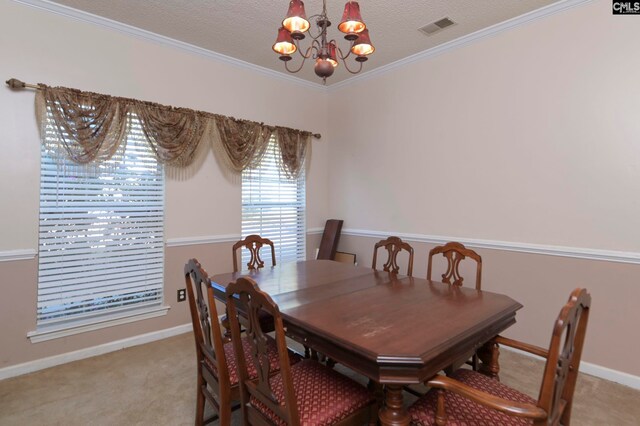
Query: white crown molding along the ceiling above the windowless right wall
(462,41)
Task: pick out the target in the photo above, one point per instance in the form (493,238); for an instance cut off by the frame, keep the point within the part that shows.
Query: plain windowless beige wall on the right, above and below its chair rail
(529,136)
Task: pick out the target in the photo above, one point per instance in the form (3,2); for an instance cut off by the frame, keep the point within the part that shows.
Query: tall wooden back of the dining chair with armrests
(563,361)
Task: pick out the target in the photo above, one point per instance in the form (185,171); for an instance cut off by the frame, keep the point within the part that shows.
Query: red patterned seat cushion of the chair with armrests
(464,412)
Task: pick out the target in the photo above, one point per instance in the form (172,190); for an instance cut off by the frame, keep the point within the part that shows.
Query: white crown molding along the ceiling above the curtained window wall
(100,21)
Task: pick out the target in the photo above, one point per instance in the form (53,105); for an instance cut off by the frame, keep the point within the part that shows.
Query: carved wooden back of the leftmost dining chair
(213,374)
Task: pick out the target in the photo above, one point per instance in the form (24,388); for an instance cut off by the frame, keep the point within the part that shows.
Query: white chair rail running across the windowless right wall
(549,250)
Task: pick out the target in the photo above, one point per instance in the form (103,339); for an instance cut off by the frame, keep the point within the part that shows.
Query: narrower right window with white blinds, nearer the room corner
(274,207)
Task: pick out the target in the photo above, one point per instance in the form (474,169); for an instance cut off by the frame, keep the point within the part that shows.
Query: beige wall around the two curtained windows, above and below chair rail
(38,46)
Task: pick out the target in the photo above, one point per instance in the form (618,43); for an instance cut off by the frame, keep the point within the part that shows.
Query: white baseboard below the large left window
(41,364)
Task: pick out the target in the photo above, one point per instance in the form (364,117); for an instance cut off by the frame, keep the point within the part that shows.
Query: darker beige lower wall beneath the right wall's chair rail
(542,284)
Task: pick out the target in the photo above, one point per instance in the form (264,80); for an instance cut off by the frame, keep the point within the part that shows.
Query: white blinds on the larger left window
(101,235)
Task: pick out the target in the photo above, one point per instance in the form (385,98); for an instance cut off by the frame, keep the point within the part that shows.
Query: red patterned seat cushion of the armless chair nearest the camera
(323,395)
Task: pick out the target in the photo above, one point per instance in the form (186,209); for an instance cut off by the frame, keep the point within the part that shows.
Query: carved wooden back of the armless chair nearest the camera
(245,292)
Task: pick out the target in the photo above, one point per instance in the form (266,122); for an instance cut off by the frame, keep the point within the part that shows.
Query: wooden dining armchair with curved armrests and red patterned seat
(471,398)
